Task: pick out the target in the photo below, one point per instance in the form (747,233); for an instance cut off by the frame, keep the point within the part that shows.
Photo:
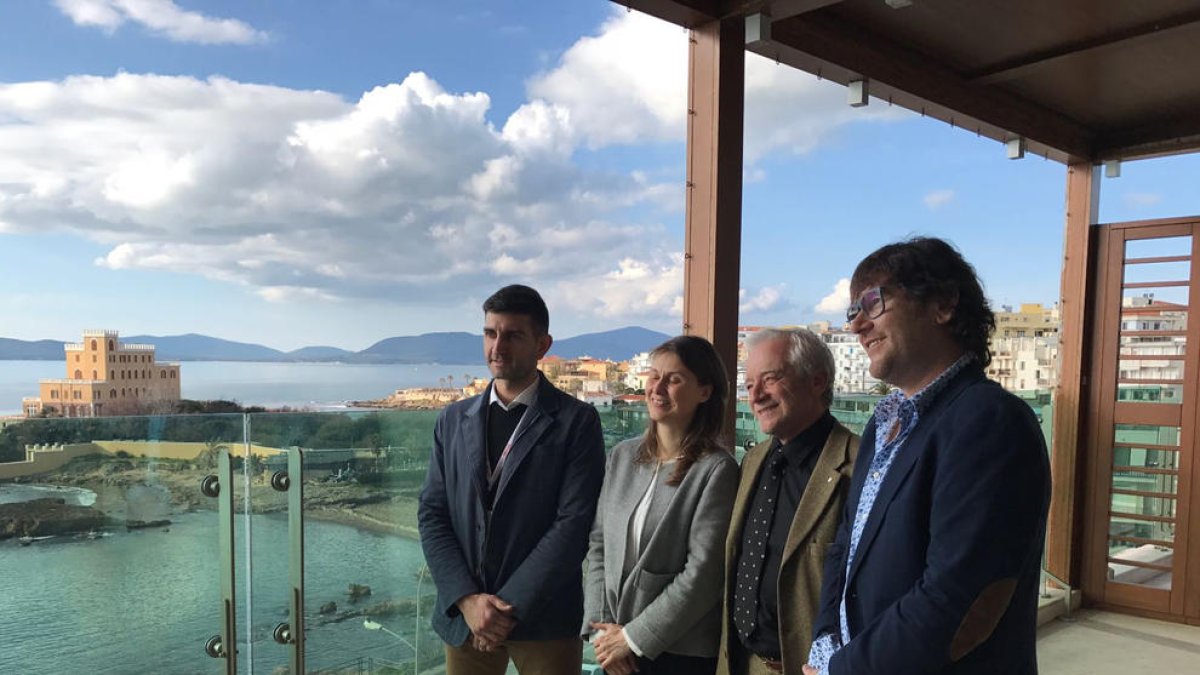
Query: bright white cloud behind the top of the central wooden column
(629,85)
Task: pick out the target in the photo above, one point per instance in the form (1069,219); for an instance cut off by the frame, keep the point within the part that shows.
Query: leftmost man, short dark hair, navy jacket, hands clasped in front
(508,505)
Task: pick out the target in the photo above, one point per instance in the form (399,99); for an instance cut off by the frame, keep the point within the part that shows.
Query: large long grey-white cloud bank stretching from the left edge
(409,194)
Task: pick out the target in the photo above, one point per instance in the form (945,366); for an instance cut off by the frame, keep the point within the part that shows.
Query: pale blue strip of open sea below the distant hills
(274,385)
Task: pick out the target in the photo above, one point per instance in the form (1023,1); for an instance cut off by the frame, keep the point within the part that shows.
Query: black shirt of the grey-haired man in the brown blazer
(801,456)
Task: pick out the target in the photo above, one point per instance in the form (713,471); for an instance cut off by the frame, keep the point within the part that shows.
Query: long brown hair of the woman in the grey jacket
(707,427)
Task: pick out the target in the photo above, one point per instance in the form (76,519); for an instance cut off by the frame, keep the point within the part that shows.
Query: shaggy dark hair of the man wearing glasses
(932,270)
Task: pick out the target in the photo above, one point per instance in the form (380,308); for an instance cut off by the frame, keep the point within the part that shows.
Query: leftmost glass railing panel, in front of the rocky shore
(107,545)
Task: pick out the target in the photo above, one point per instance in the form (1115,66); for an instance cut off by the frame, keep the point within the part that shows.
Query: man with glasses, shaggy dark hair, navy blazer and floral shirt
(937,564)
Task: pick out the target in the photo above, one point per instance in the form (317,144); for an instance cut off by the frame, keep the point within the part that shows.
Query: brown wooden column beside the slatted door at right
(1069,456)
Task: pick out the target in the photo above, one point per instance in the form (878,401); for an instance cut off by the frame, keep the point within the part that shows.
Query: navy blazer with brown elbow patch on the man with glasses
(945,580)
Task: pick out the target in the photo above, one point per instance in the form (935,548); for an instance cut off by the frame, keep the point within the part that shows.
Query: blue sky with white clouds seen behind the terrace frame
(338,172)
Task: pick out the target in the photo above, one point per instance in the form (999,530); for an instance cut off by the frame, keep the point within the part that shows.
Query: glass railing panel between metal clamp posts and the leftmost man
(368,592)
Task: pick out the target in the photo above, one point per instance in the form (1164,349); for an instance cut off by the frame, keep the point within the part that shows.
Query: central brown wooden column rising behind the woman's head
(713,238)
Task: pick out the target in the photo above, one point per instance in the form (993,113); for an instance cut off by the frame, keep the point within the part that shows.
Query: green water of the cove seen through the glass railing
(147,601)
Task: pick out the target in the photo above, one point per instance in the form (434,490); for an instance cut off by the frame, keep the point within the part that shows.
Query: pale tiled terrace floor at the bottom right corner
(1099,643)
